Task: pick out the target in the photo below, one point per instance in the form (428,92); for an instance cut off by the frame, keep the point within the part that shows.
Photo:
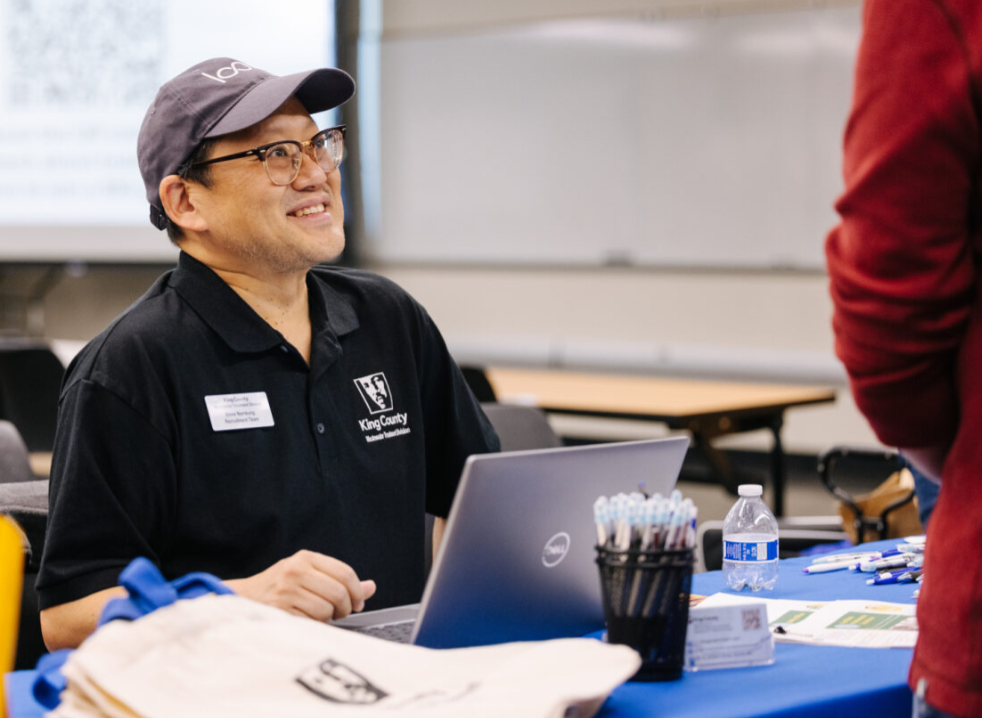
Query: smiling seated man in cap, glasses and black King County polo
(220,424)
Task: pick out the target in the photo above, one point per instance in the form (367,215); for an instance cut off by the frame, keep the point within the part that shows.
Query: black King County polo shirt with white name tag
(192,433)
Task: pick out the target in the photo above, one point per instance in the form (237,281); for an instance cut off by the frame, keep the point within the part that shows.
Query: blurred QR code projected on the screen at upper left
(100,53)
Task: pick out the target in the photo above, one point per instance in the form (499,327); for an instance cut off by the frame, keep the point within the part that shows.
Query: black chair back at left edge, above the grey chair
(30,383)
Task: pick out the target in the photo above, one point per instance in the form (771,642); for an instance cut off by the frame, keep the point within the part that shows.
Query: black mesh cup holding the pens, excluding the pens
(646,606)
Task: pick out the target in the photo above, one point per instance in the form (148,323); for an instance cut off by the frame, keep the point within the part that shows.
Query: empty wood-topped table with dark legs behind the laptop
(706,409)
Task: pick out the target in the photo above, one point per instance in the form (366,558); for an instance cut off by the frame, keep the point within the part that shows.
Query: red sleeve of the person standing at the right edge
(900,262)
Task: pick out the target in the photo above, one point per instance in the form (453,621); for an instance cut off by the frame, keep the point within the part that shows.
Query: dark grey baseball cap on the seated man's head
(214,98)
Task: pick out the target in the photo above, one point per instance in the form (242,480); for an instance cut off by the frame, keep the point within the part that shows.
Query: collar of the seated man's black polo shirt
(237,323)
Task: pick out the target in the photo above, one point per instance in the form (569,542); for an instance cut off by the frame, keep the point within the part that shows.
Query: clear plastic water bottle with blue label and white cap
(750,542)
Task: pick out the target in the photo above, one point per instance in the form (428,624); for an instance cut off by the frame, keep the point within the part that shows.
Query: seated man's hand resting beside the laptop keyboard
(308,584)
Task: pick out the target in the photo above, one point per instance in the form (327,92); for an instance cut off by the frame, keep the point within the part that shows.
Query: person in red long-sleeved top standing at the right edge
(903,266)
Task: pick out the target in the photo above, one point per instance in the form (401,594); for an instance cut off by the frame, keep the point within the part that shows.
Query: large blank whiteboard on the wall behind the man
(706,141)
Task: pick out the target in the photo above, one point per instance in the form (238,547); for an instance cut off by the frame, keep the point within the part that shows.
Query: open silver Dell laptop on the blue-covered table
(517,558)
